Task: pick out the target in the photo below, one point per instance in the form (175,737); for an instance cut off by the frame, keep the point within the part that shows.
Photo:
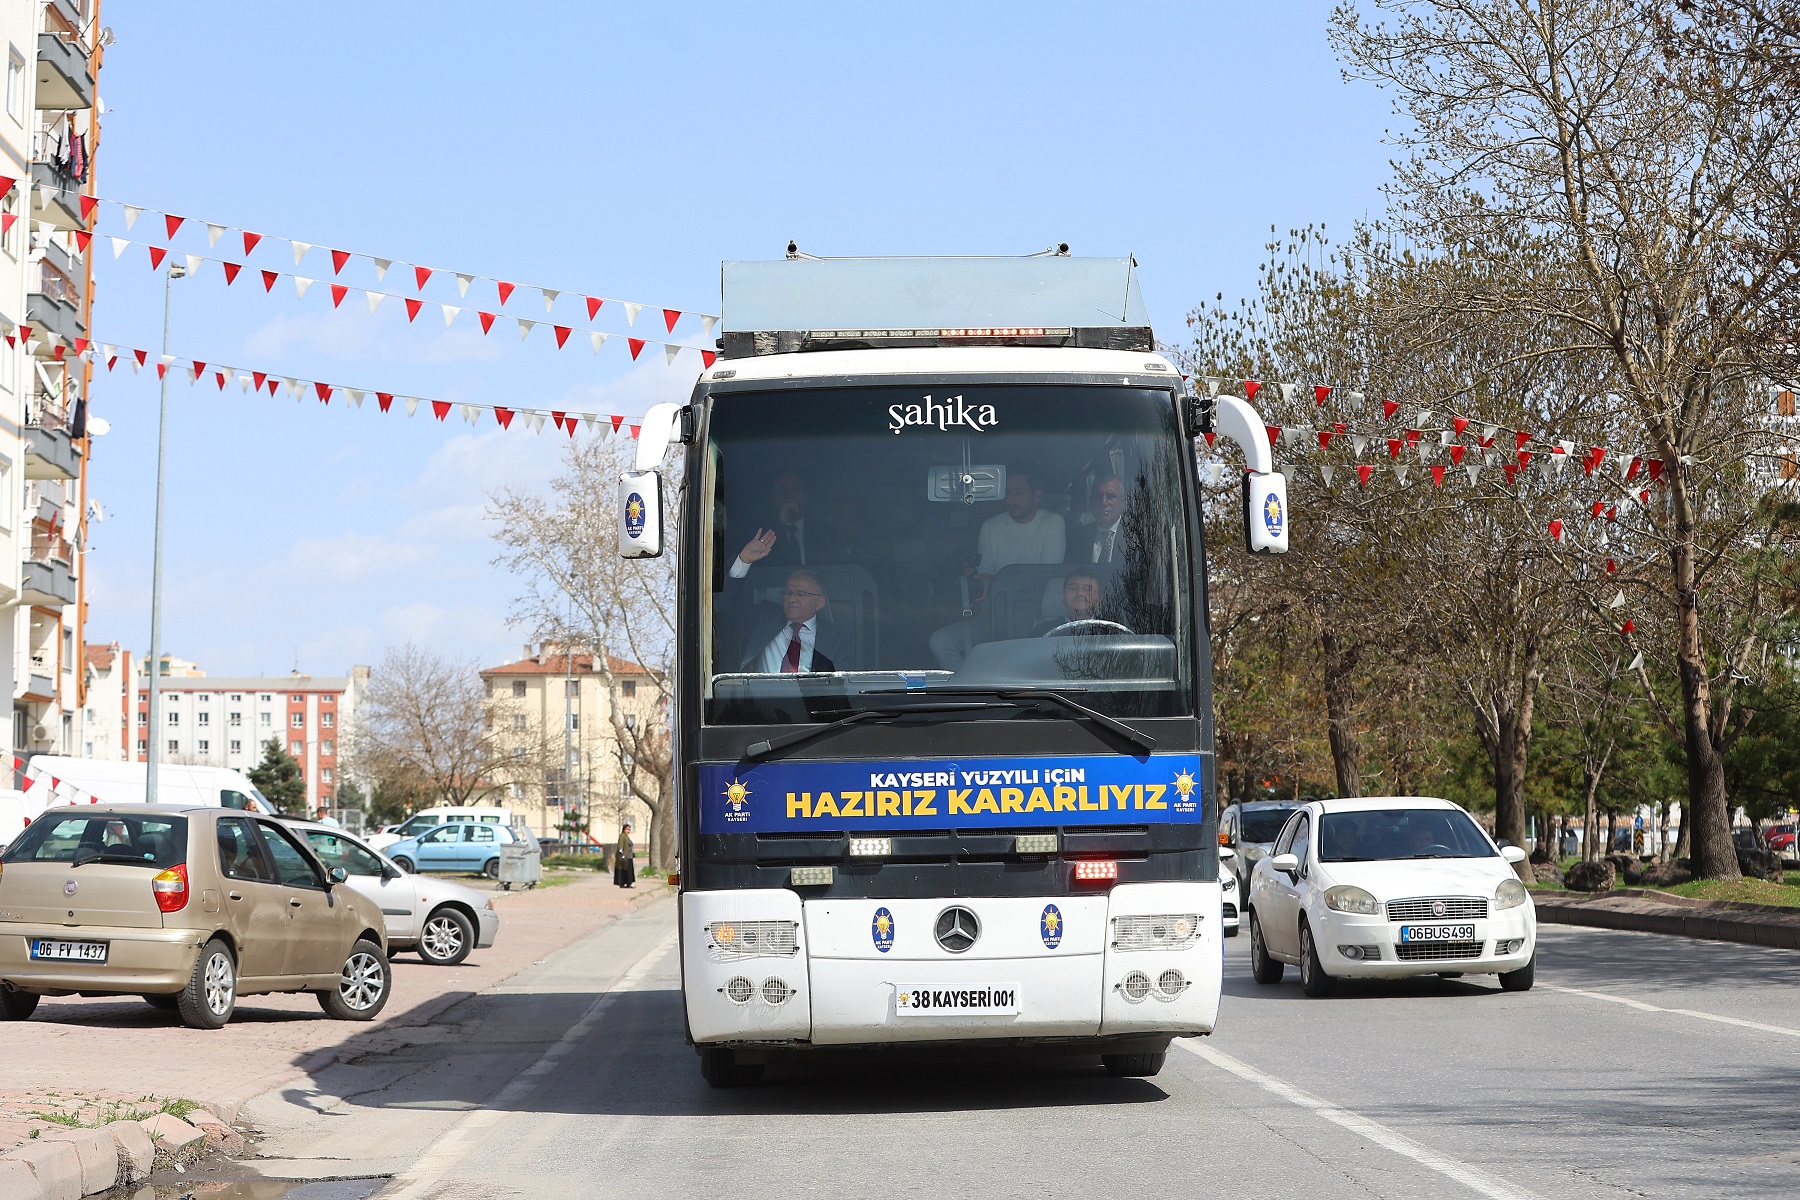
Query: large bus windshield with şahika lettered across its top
(868,542)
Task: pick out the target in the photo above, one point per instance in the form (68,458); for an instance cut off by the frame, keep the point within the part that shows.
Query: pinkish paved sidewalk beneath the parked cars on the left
(120,1050)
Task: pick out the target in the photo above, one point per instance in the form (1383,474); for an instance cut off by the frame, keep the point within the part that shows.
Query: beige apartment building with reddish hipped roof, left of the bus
(552,721)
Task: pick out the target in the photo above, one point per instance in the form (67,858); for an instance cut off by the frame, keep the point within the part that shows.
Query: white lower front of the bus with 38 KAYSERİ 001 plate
(876,972)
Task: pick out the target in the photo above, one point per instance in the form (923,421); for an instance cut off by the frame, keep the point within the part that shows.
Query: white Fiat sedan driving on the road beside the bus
(1389,888)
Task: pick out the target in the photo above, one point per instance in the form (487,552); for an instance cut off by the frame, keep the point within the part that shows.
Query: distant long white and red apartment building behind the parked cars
(226,721)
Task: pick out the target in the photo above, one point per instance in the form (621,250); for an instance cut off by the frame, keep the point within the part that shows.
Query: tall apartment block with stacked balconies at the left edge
(49,136)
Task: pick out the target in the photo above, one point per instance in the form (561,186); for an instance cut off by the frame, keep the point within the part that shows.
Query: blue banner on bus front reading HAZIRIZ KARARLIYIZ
(1084,791)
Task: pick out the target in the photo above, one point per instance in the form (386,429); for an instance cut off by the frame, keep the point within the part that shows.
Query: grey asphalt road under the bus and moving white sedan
(1641,1066)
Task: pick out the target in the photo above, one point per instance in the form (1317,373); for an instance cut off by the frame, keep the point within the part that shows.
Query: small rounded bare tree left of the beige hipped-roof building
(426,730)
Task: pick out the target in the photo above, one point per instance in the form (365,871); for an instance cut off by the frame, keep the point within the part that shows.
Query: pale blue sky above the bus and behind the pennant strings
(624,152)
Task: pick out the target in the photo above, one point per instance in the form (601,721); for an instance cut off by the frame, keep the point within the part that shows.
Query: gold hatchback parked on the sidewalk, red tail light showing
(188,908)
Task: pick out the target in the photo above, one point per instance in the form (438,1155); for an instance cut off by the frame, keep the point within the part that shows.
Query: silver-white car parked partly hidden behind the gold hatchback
(440,918)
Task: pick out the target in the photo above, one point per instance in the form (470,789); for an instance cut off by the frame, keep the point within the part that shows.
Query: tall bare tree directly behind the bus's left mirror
(580,593)
